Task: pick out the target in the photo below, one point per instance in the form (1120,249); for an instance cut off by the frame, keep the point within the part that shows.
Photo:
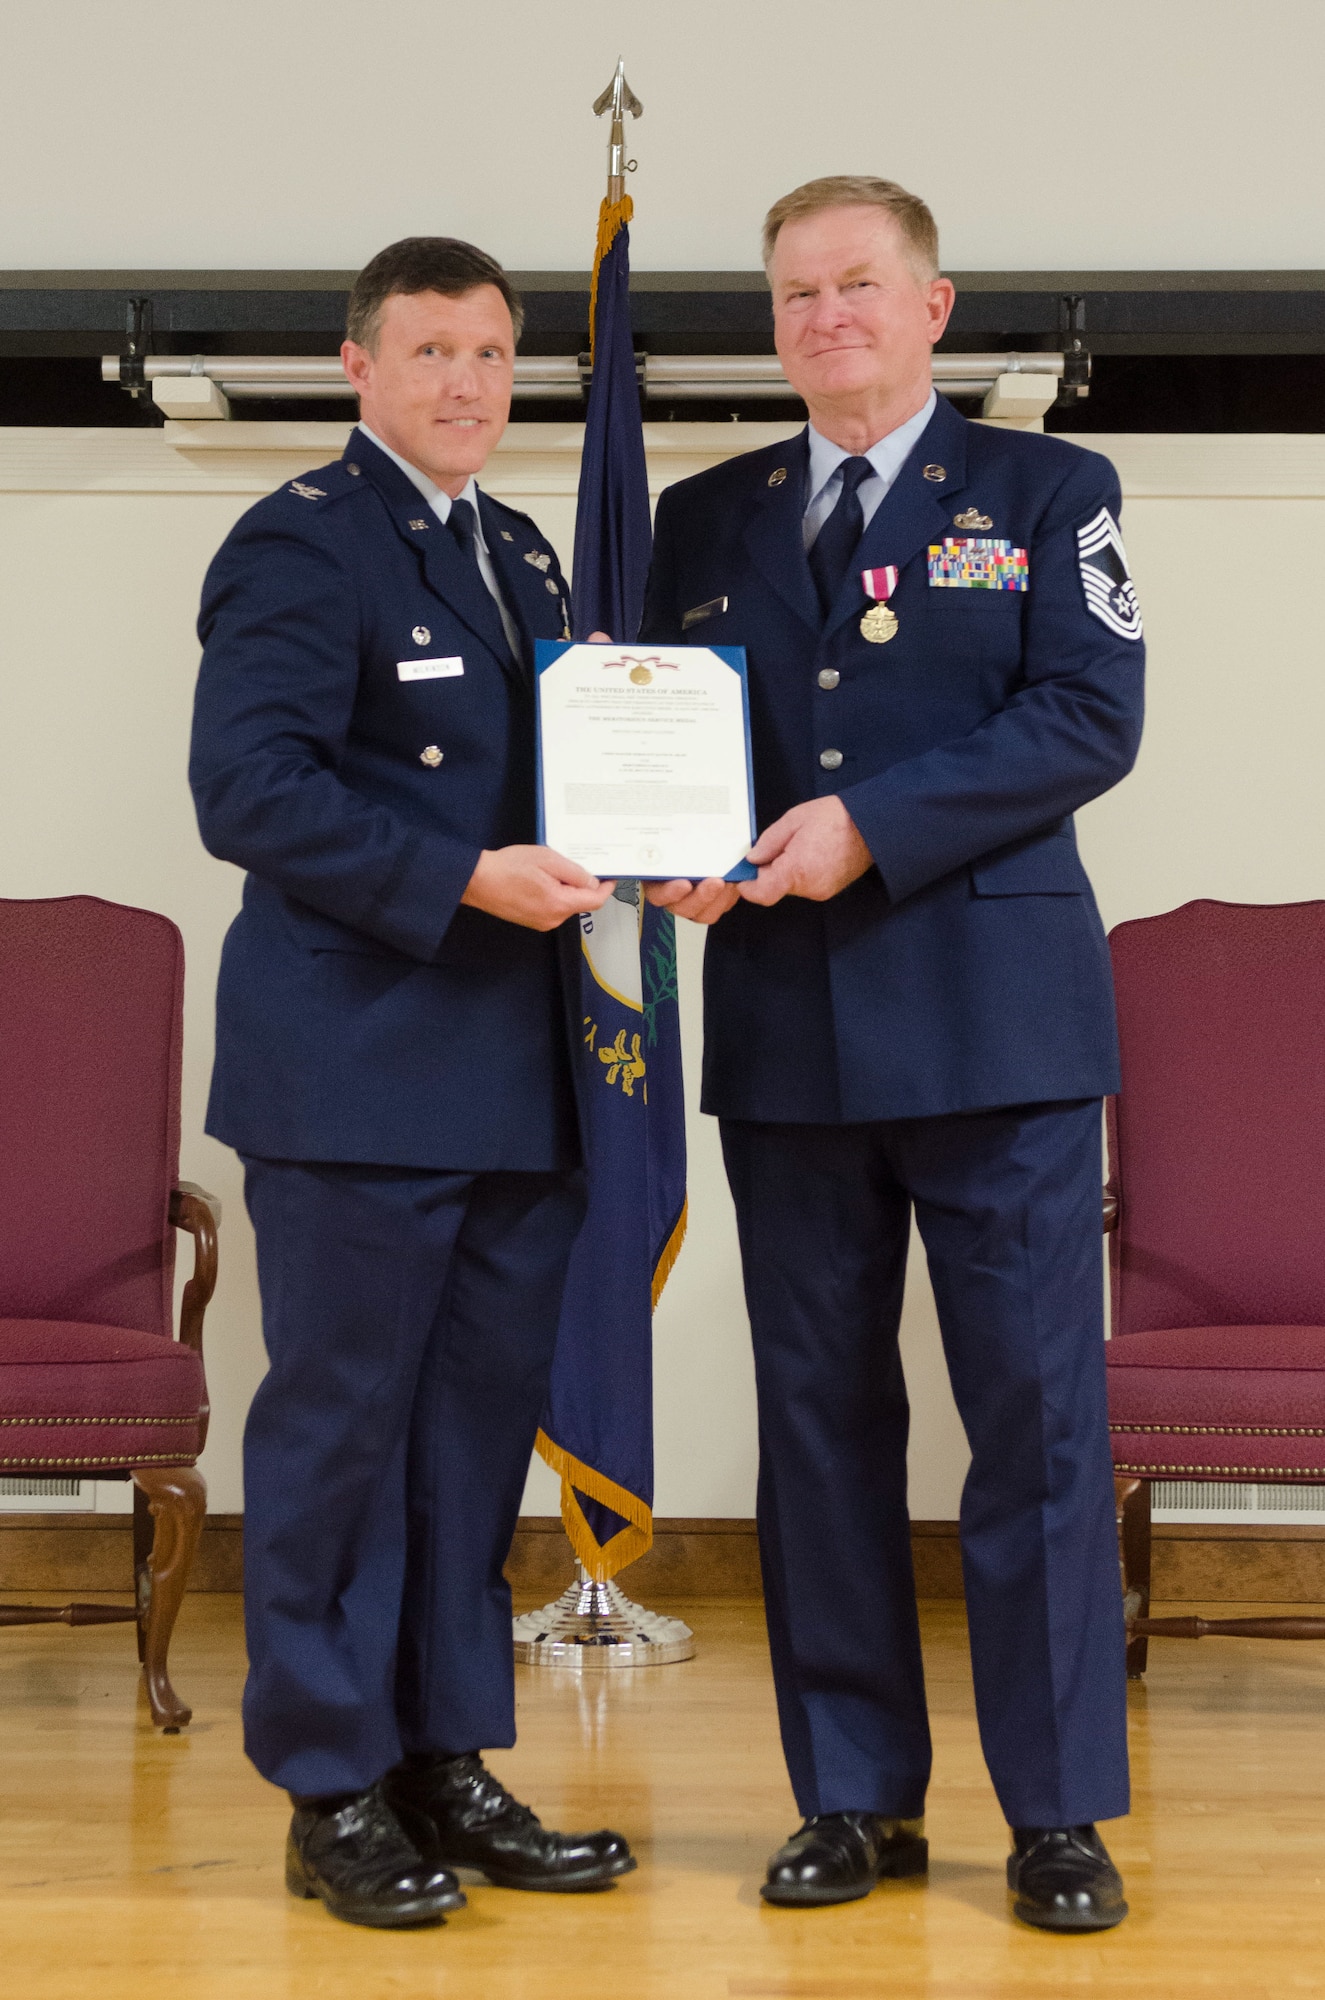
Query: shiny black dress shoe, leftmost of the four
(353,1853)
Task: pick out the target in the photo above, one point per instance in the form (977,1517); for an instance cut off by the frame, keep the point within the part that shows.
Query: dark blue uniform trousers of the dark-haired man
(409,1323)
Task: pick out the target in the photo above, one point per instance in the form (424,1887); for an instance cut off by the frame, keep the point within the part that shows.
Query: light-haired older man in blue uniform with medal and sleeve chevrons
(910,1009)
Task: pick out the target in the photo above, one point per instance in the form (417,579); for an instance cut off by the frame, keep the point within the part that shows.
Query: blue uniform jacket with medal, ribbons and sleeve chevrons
(968,967)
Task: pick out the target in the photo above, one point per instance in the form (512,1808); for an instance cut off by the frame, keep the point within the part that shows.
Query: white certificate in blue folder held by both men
(645,759)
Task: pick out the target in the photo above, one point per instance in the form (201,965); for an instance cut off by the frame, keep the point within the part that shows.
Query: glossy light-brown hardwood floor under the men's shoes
(147,1867)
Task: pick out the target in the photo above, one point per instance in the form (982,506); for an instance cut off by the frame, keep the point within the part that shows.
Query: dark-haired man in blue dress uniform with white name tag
(393,1063)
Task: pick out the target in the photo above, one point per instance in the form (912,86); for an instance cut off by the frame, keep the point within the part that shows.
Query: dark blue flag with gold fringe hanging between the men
(597,1429)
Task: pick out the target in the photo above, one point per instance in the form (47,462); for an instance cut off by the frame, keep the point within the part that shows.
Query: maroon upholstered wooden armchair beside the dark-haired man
(93,1379)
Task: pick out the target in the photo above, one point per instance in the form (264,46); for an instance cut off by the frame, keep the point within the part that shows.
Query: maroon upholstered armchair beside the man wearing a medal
(1216,1209)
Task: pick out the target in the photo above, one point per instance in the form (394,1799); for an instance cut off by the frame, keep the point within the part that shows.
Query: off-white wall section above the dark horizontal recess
(311,133)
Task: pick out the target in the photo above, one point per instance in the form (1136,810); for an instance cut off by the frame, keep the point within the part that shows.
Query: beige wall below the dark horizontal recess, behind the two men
(103,545)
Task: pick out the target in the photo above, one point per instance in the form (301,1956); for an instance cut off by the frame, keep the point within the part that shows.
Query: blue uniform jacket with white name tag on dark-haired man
(365,1015)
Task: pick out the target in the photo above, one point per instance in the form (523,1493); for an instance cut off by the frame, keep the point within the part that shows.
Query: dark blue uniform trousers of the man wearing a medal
(1010,1211)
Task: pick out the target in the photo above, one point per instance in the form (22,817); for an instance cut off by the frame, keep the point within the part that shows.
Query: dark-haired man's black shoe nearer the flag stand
(459,1817)
